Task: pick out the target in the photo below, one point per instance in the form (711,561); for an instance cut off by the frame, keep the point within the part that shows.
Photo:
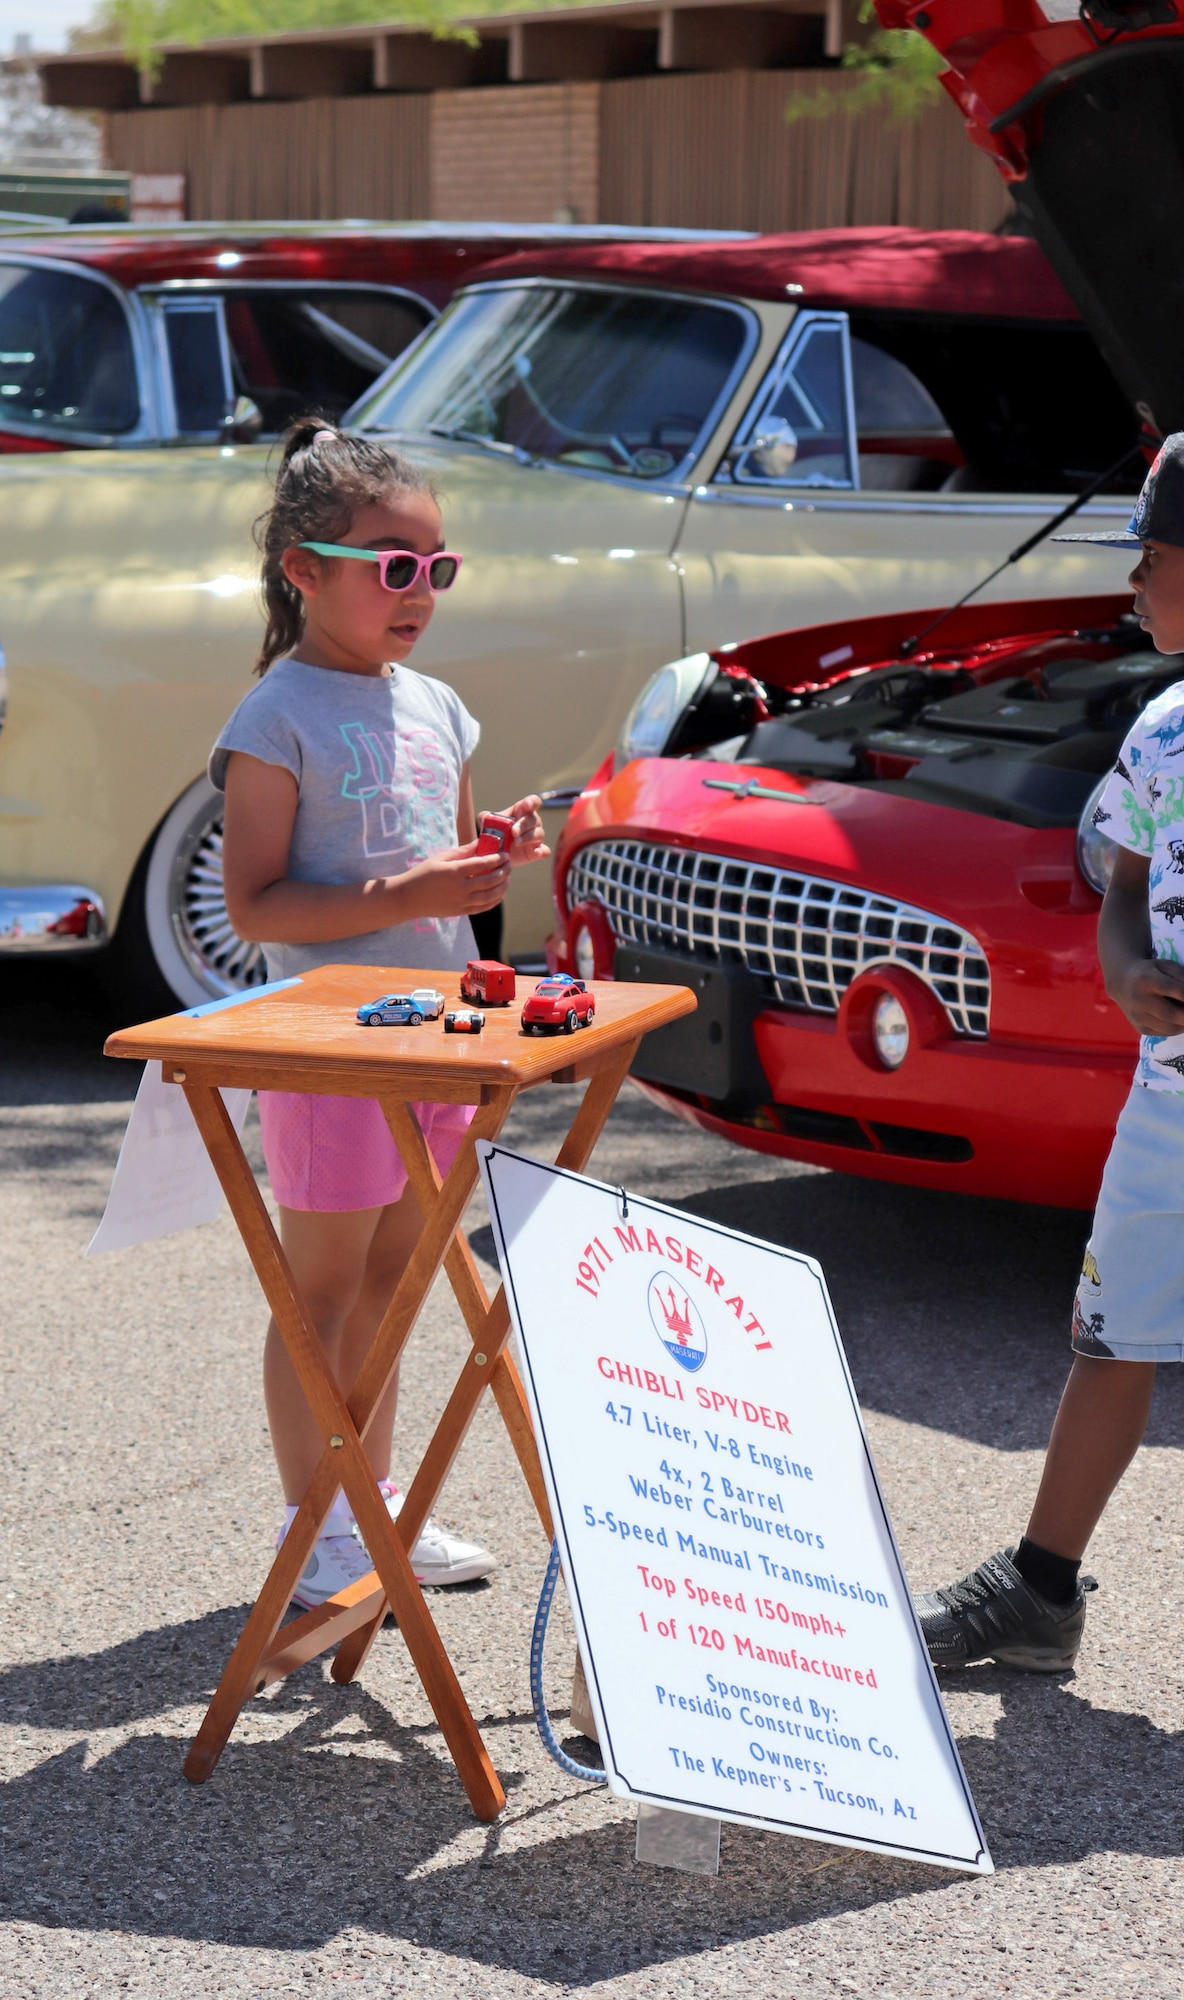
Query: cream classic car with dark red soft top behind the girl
(641,449)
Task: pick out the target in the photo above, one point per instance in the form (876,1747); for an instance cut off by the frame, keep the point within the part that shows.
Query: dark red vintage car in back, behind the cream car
(131,337)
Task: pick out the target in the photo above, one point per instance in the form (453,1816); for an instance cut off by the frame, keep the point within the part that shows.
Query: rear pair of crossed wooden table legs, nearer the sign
(489,1325)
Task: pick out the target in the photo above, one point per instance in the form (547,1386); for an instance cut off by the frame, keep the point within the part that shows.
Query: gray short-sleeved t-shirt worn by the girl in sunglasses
(377,761)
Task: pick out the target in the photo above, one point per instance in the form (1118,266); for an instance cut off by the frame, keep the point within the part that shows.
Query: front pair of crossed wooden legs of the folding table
(343,1427)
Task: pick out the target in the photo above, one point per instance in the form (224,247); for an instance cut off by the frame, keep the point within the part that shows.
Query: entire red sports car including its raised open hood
(871,847)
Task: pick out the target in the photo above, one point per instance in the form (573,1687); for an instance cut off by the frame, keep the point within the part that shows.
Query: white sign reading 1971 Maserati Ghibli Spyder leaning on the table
(743,1613)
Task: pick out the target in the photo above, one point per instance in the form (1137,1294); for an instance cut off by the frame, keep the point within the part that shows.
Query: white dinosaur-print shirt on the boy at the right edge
(1143,809)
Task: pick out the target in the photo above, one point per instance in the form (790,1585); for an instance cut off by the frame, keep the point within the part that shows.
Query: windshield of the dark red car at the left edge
(67,355)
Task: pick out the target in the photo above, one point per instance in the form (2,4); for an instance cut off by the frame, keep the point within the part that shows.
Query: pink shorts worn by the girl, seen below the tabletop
(337,1153)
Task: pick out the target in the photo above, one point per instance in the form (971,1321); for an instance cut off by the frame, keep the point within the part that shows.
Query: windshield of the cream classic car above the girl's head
(611,381)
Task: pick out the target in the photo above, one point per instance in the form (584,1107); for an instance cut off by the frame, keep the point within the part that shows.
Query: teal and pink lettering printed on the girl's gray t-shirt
(405,793)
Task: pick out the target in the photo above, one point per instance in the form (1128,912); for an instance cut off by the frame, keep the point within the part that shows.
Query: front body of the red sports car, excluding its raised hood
(881,877)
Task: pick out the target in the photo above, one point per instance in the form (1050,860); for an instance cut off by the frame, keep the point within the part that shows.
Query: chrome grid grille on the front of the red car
(803,937)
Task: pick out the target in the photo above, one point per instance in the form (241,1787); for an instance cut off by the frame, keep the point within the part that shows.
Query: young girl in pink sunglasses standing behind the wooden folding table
(351,837)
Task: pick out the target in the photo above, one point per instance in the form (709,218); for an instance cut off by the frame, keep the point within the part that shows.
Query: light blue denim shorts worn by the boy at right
(1131,1293)
